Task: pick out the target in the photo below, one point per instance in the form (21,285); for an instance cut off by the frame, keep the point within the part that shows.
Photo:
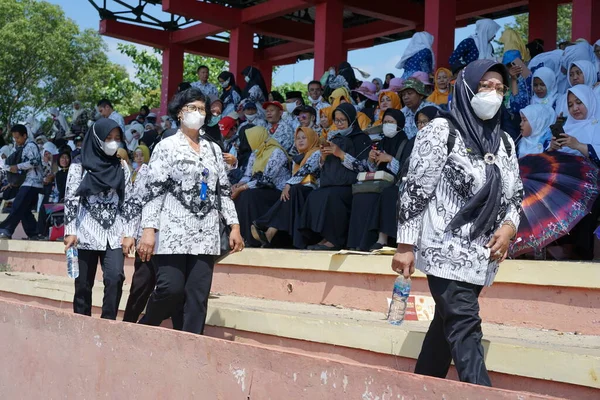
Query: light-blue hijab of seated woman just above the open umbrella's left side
(540,117)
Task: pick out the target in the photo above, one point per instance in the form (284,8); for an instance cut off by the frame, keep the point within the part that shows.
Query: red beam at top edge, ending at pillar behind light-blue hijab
(401,12)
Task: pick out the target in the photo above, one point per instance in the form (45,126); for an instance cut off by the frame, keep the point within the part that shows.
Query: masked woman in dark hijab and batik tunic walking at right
(459,209)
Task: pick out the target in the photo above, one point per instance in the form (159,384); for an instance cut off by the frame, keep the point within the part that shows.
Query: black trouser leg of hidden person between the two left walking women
(142,286)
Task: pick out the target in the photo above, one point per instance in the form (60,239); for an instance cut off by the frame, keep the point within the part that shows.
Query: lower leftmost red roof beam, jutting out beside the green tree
(134,33)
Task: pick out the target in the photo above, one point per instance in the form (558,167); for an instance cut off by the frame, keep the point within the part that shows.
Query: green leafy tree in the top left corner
(47,61)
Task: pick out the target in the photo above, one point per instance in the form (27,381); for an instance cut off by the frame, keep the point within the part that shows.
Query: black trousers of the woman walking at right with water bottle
(454,334)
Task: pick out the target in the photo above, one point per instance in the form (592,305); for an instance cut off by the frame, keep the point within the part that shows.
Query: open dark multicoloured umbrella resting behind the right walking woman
(560,189)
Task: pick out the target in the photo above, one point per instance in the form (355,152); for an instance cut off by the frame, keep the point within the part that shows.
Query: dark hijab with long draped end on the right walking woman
(481,137)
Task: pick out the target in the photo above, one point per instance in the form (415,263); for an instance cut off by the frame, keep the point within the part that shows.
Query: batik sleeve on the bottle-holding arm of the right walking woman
(425,170)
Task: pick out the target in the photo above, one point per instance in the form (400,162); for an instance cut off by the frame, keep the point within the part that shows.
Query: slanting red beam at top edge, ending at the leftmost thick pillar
(215,14)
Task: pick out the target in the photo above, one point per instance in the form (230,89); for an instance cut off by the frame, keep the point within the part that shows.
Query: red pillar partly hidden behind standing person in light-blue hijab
(440,21)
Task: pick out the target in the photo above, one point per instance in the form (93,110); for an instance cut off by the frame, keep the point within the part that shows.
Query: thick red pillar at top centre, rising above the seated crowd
(329,36)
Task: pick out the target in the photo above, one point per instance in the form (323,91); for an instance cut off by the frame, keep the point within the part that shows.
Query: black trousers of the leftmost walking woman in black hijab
(111,261)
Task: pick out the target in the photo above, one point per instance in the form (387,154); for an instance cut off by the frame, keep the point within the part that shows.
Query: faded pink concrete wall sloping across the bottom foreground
(52,354)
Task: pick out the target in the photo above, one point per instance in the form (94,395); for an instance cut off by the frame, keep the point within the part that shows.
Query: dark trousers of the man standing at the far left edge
(26,200)
